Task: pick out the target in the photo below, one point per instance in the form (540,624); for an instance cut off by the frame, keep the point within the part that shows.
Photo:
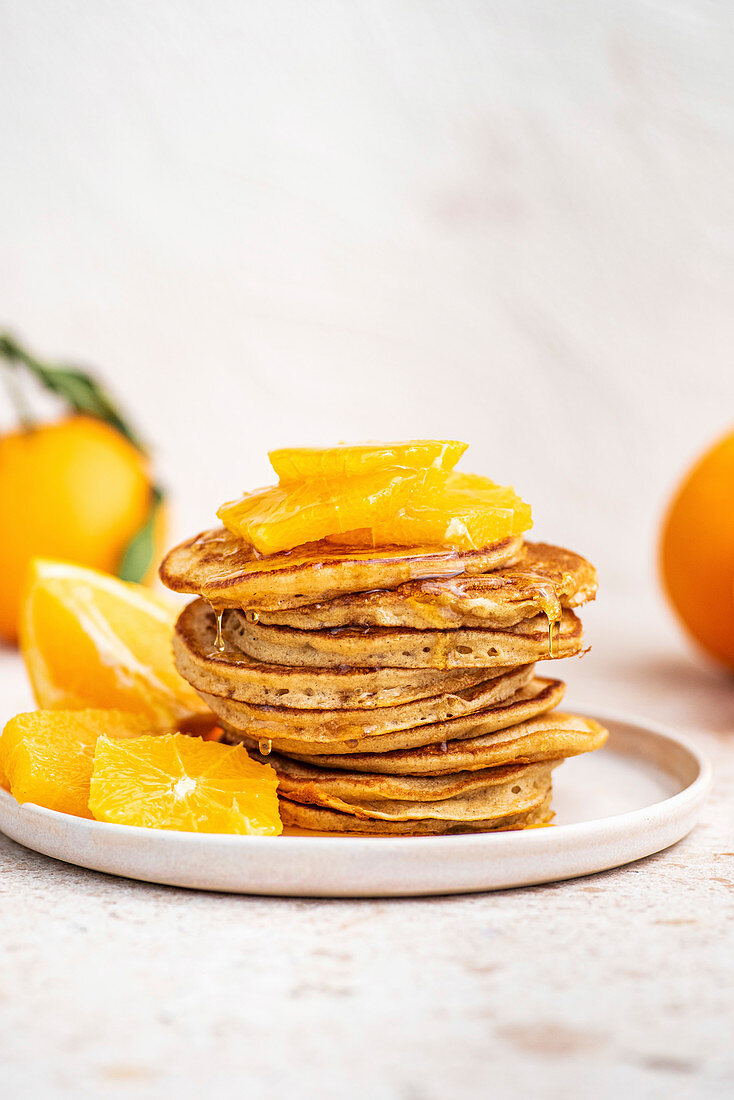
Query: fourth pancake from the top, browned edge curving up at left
(231,675)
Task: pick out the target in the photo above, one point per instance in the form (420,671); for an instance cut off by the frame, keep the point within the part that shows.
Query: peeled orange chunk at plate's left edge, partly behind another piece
(48,755)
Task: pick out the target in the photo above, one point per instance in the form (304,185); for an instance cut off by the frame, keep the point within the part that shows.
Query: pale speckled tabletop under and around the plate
(617,985)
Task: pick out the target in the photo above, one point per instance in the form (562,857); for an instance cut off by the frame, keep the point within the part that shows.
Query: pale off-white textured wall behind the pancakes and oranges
(276,223)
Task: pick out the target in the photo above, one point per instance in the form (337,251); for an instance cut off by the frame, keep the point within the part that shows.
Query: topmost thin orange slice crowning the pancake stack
(300,464)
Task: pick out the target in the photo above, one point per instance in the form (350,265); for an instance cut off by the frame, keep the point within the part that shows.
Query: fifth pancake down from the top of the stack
(354,722)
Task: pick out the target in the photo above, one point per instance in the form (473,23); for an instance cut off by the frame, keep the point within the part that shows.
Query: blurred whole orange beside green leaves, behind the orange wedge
(75,490)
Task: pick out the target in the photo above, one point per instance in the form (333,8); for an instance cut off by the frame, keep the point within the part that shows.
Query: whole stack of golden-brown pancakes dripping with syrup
(395,690)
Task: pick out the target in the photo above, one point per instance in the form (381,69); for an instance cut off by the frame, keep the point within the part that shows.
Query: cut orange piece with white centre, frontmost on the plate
(178,783)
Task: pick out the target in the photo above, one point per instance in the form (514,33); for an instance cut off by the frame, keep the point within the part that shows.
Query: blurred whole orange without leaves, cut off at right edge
(697,552)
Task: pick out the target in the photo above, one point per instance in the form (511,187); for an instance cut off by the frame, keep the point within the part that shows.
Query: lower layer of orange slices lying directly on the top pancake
(390,507)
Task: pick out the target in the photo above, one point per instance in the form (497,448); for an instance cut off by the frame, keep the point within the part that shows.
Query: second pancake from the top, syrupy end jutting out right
(544,580)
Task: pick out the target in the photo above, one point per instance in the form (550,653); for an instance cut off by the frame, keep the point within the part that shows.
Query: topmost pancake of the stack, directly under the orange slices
(231,574)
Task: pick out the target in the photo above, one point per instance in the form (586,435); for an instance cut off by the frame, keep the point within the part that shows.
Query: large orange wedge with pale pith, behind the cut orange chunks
(91,641)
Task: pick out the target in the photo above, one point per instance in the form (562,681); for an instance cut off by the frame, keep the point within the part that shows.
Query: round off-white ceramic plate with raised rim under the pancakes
(639,795)
